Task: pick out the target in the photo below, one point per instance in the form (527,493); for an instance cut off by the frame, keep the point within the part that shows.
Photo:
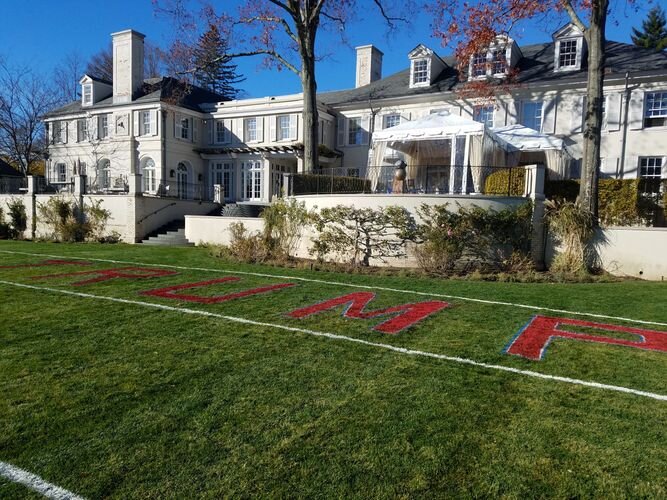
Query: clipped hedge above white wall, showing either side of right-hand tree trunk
(619,200)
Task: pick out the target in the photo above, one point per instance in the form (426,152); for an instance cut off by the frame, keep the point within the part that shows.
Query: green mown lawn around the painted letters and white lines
(110,399)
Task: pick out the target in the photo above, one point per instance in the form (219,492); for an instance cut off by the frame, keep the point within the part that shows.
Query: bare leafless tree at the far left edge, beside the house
(24,99)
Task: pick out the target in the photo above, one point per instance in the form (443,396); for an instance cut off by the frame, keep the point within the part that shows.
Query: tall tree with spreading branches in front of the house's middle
(285,33)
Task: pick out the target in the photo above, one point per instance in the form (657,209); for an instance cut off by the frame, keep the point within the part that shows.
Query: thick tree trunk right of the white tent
(595,36)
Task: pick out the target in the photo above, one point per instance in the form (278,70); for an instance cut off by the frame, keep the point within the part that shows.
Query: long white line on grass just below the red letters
(401,350)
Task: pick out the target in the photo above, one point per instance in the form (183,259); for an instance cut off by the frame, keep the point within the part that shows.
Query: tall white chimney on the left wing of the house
(128,64)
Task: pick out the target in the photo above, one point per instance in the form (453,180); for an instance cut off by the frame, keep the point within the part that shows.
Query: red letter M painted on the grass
(406,314)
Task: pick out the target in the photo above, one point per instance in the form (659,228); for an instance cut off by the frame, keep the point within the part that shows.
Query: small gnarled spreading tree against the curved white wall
(363,233)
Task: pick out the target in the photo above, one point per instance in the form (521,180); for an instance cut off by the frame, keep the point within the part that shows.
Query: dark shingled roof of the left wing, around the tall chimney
(165,89)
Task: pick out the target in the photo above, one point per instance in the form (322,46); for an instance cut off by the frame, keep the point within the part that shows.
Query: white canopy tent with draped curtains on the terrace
(459,142)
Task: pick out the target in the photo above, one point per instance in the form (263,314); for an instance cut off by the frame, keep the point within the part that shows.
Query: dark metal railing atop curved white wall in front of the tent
(419,179)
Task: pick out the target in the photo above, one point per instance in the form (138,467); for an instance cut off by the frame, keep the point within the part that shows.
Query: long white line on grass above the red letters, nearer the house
(352,285)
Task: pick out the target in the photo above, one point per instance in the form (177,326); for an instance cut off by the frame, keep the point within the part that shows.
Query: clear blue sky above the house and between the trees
(40,33)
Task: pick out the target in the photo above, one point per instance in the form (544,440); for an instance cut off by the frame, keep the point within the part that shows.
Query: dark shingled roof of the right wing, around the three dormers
(536,66)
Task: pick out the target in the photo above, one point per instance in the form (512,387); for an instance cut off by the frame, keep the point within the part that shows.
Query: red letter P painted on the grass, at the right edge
(533,340)
